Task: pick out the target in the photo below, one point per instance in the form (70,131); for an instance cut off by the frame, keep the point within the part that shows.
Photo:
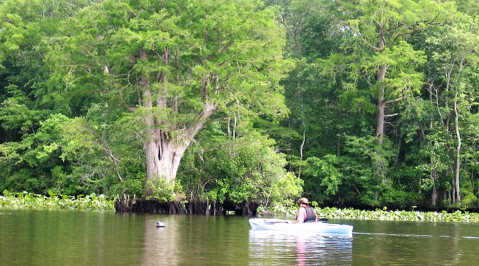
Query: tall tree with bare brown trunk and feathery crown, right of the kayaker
(377,53)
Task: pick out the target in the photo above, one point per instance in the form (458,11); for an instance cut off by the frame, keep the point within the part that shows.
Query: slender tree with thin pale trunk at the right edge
(453,50)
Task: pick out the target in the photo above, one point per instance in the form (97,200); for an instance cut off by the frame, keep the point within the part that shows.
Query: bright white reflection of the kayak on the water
(282,248)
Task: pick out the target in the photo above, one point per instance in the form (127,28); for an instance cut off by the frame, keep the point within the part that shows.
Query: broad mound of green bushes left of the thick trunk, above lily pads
(59,142)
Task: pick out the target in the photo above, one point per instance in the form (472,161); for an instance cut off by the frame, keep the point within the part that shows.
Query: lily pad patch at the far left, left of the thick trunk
(25,200)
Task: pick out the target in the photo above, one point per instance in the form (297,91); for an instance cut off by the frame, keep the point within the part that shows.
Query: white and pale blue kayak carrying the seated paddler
(315,227)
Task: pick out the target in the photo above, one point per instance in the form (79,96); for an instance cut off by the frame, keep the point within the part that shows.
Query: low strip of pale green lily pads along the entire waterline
(25,200)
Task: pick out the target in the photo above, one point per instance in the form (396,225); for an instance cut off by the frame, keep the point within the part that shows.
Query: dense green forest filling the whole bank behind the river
(351,103)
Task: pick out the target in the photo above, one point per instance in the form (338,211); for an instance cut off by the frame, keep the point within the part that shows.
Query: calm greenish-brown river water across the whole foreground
(54,238)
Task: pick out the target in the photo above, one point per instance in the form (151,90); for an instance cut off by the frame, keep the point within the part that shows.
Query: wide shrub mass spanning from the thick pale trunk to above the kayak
(238,169)
